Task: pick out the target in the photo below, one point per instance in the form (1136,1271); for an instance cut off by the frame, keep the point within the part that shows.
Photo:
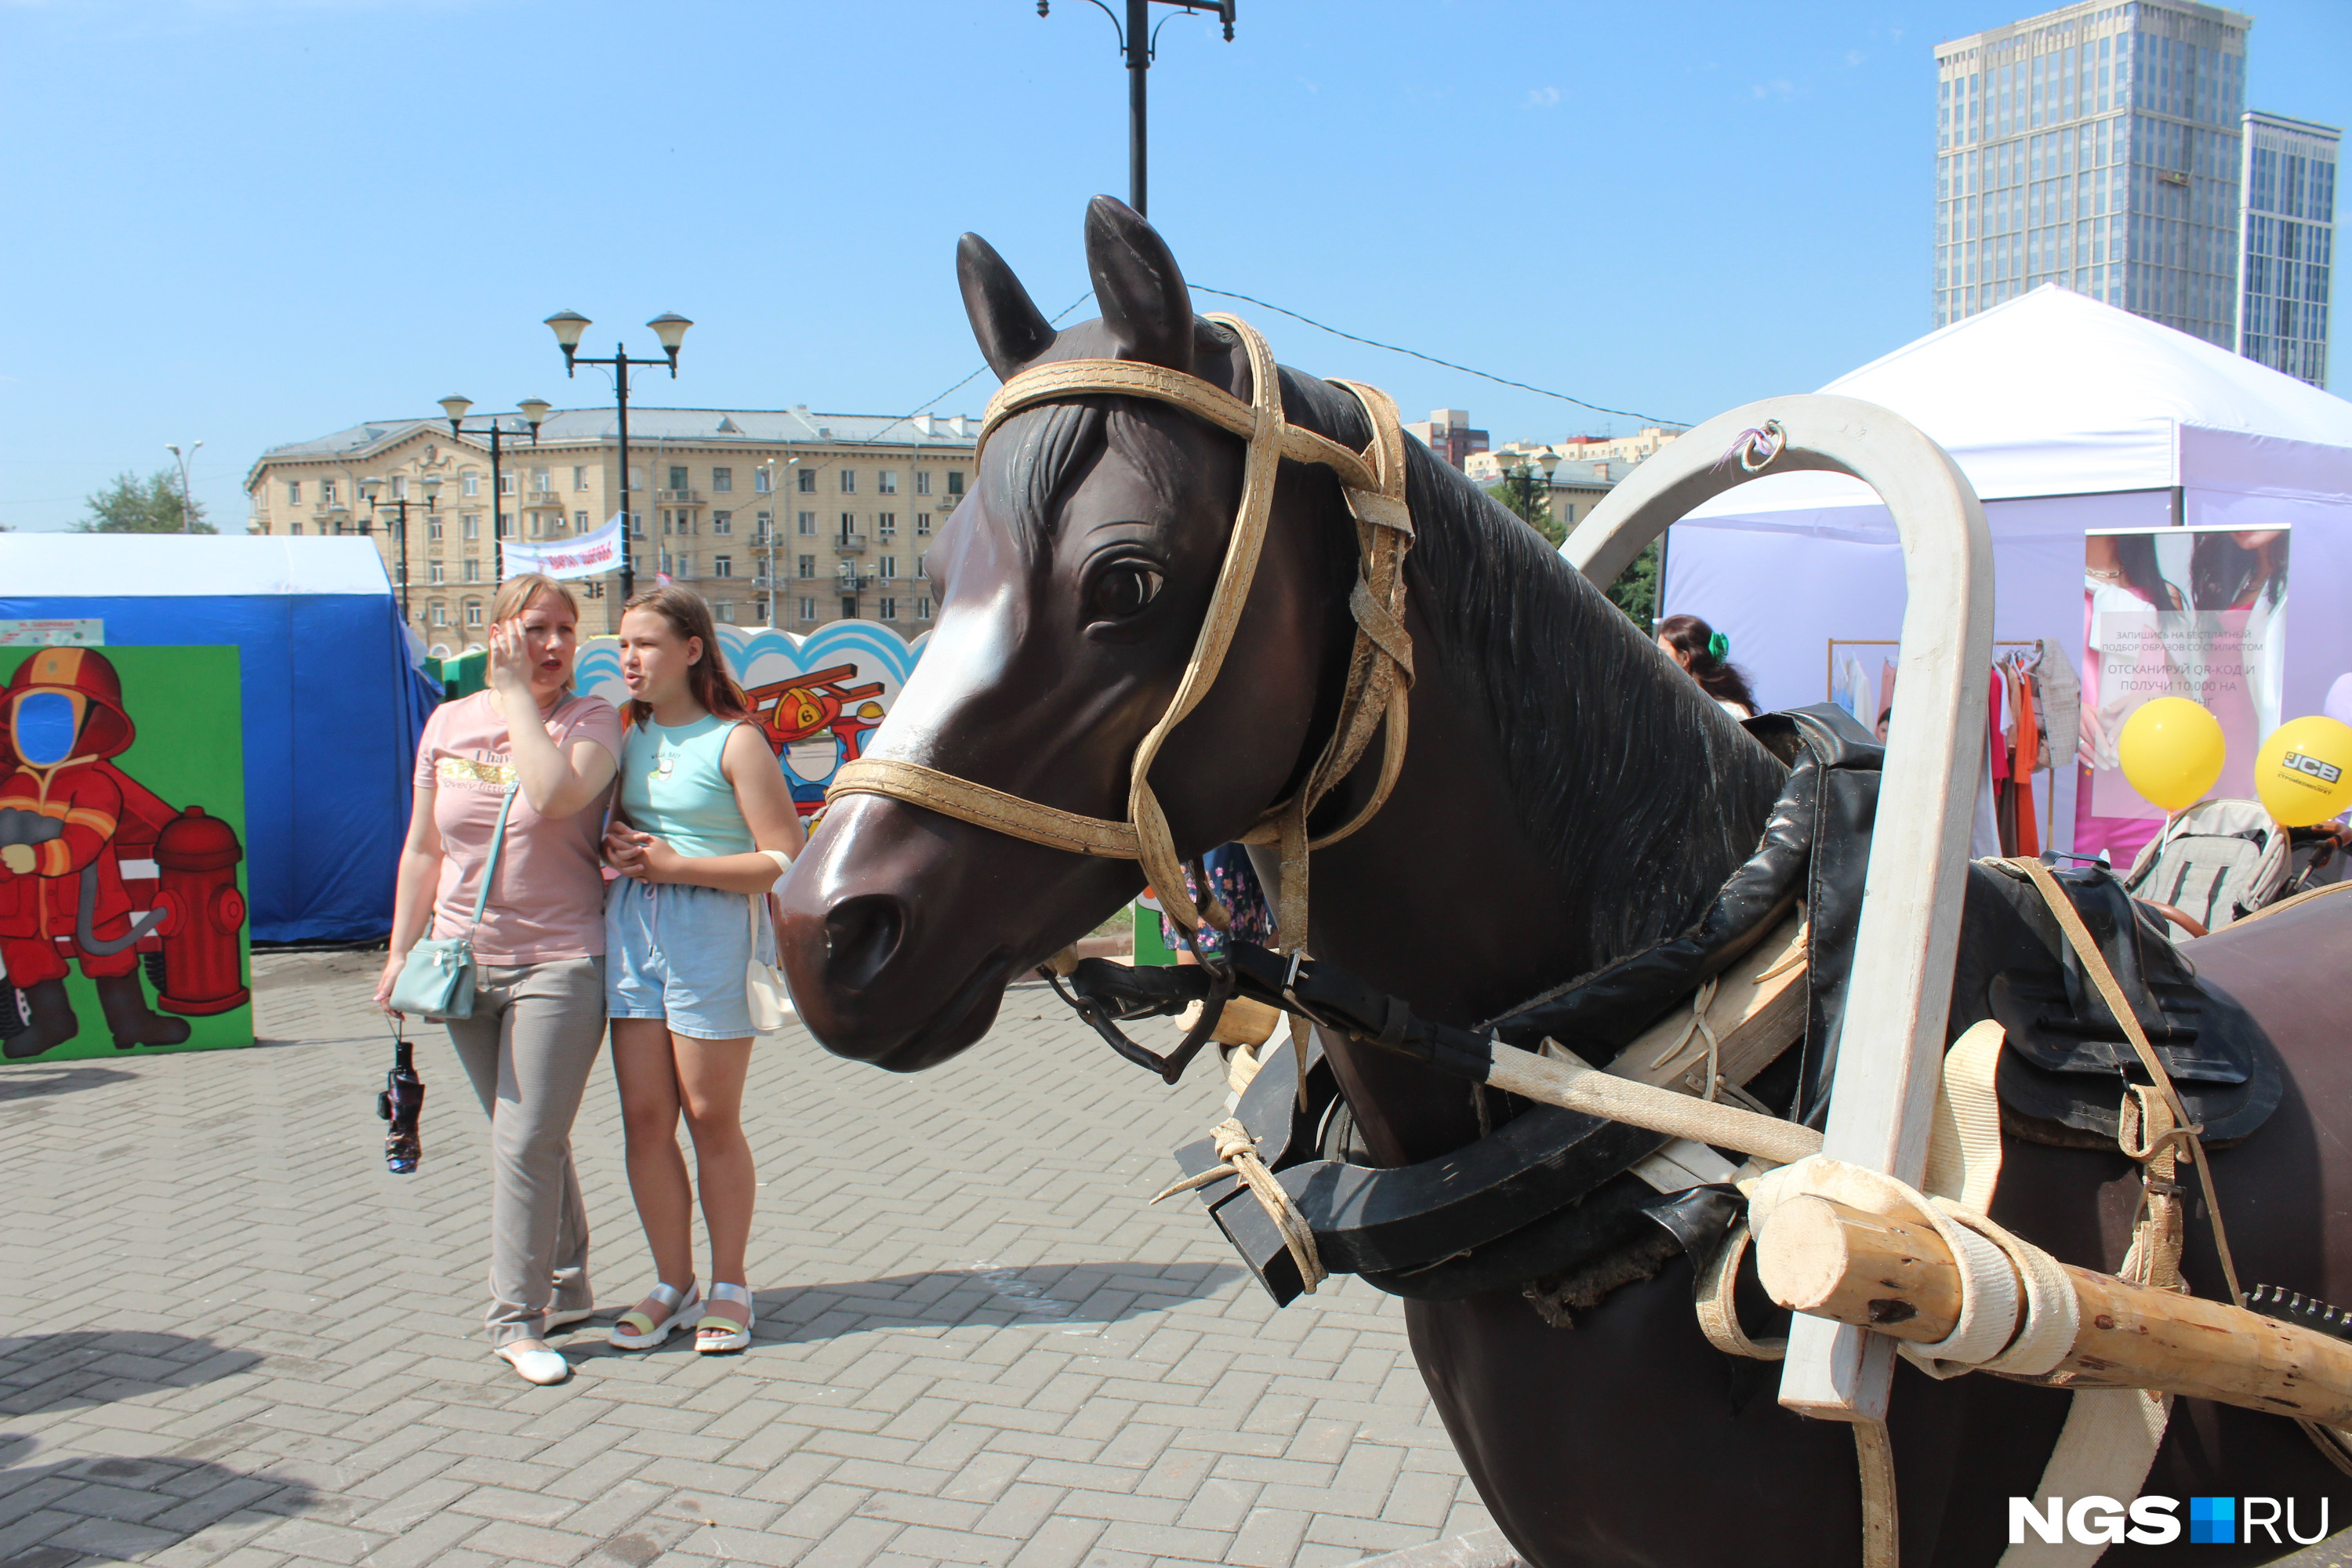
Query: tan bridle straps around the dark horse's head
(1379,669)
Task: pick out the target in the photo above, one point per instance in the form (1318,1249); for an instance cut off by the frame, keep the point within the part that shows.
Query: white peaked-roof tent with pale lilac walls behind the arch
(2066,415)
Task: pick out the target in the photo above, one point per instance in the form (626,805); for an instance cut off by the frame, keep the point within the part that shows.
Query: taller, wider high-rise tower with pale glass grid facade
(2097,147)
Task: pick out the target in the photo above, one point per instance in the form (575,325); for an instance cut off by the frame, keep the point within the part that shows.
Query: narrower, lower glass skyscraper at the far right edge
(2290,243)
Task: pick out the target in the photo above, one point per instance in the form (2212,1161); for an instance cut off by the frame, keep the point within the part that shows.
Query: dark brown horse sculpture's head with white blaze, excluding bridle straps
(1071,587)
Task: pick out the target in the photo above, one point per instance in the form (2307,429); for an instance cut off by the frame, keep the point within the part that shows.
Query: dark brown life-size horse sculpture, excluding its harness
(1568,798)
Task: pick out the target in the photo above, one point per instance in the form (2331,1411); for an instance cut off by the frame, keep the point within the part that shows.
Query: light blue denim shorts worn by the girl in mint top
(679,953)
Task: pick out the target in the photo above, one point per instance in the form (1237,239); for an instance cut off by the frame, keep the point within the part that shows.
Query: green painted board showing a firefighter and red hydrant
(123,918)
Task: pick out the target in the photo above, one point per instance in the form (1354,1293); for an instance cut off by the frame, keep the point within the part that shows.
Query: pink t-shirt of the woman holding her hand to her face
(549,892)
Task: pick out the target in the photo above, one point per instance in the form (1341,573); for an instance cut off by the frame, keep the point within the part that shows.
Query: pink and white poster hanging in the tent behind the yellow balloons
(2177,612)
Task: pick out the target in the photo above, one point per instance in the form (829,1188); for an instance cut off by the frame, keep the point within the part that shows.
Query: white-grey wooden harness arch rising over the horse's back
(1892,1047)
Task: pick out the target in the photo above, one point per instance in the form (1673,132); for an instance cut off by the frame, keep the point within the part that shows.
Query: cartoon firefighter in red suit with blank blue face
(67,815)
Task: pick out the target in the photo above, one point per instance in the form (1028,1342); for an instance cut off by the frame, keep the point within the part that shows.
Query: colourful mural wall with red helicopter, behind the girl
(815,697)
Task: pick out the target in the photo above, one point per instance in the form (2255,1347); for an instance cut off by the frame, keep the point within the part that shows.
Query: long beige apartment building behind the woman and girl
(780,518)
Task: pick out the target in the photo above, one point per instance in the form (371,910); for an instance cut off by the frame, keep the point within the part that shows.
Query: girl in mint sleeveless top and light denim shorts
(707,826)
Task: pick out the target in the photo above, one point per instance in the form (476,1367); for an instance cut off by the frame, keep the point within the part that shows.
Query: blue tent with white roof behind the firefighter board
(330,683)
